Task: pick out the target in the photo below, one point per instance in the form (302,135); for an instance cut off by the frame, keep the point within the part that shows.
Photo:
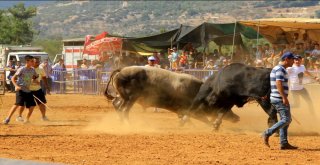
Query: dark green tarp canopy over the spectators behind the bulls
(221,34)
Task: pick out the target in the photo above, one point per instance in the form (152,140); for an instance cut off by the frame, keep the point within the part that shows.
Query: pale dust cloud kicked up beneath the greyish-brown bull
(143,122)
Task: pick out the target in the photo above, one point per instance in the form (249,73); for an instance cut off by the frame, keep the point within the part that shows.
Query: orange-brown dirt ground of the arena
(85,130)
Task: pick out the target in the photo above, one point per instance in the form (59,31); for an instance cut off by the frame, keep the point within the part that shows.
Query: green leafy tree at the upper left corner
(15,25)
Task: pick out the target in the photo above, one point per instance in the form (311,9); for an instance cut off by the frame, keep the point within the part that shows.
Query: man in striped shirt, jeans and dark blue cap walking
(279,99)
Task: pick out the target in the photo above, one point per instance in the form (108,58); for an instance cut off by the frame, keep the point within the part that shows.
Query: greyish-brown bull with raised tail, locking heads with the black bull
(157,88)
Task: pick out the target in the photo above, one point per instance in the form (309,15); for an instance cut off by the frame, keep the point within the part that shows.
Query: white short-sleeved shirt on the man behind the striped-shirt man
(295,83)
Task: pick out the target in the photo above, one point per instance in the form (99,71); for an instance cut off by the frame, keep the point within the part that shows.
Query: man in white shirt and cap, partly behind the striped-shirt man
(296,73)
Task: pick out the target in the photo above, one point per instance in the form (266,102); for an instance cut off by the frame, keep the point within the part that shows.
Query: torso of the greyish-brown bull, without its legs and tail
(159,87)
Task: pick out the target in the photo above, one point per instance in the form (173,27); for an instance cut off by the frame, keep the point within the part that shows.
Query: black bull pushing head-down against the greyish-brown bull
(235,84)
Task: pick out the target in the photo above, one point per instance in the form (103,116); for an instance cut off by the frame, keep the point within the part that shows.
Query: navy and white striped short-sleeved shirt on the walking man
(278,73)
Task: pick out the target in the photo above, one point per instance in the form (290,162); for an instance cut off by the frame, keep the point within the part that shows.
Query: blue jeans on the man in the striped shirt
(283,124)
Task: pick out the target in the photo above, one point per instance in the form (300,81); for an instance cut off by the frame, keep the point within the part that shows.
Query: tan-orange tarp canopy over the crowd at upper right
(272,28)
